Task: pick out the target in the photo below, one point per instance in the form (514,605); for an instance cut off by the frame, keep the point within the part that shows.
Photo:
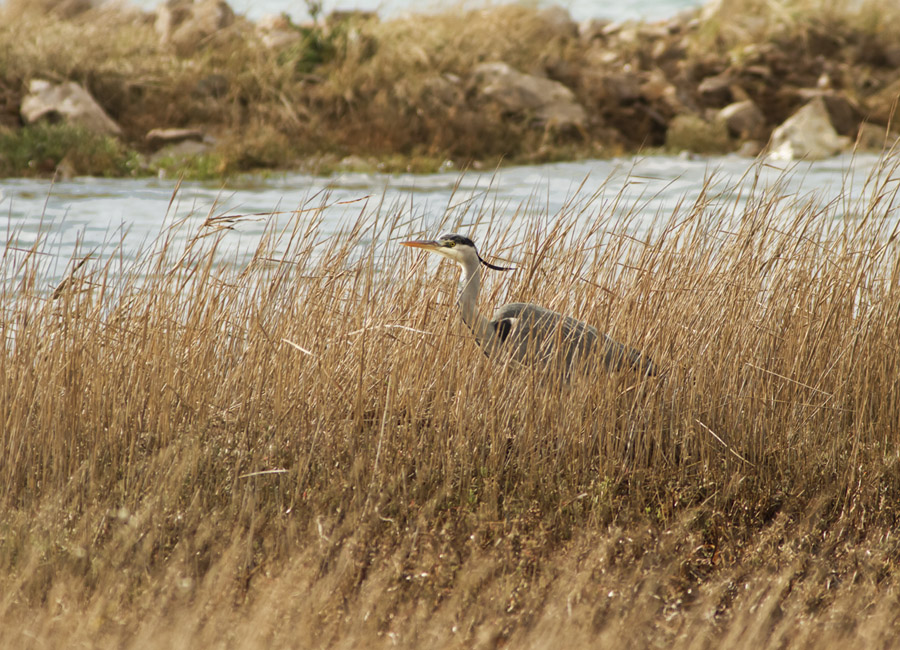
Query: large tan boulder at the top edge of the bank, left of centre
(186,25)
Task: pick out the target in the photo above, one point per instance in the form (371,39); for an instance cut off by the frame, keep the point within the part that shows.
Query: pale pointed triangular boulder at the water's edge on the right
(807,134)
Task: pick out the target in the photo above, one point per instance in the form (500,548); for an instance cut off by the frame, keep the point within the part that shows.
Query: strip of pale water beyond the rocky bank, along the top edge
(579,9)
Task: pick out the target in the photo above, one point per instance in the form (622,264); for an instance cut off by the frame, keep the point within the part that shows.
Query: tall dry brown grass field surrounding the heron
(309,450)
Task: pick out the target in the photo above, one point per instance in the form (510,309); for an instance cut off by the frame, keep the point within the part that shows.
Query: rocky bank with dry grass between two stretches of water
(192,89)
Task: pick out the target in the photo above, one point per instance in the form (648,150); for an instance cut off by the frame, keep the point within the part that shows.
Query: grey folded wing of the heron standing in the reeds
(532,333)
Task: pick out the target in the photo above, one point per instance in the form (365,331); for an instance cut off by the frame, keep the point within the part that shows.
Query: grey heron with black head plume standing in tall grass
(528,332)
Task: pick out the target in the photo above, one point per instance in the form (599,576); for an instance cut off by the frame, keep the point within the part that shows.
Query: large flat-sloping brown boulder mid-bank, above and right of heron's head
(548,102)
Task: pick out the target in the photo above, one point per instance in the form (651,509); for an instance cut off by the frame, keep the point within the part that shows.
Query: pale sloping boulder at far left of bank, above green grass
(68,102)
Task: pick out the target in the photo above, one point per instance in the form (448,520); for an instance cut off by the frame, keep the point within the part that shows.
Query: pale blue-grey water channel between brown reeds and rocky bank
(119,218)
